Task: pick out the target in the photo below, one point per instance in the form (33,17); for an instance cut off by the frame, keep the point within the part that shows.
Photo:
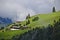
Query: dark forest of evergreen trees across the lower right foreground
(52,32)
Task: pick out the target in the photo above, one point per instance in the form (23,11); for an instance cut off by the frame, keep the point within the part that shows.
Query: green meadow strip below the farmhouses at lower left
(9,34)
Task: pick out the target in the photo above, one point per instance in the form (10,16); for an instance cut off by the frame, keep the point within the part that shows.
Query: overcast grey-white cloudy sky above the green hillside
(18,9)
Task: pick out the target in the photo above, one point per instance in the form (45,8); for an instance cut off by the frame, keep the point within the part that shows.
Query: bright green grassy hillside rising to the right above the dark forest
(44,19)
